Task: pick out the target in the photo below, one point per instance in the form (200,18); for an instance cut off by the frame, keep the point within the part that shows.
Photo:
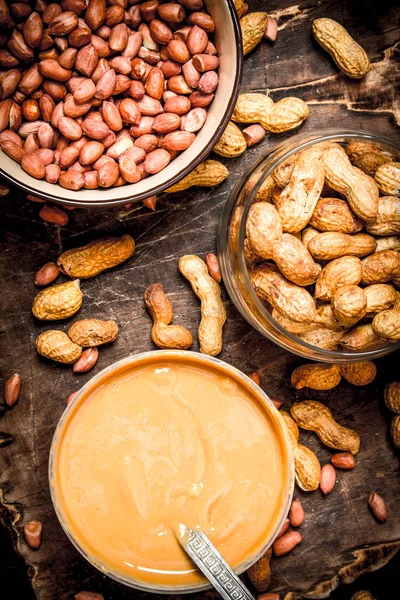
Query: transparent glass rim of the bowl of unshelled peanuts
(293,145)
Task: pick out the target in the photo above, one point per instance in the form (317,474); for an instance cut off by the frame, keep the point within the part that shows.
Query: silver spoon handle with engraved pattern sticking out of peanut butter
(207,558)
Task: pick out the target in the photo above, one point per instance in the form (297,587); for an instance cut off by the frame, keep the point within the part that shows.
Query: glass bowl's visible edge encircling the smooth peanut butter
(218,366)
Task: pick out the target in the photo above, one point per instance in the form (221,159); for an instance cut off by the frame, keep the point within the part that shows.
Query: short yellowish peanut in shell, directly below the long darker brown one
(58,301)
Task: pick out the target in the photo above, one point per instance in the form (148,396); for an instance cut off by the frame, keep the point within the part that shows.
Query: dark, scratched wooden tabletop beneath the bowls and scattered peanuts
(341,539)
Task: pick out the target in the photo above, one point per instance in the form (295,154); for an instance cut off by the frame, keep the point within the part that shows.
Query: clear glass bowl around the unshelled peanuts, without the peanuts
(232,237)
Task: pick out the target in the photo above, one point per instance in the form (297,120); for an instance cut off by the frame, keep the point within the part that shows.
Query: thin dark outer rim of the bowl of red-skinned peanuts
(156,189)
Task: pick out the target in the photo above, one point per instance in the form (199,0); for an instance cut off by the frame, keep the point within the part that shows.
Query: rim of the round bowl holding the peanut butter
(264,400)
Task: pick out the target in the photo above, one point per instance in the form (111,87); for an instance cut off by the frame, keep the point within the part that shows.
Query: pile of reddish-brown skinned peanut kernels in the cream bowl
(99,93)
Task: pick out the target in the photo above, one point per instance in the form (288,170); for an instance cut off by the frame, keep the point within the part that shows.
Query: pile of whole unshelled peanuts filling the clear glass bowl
(333,242)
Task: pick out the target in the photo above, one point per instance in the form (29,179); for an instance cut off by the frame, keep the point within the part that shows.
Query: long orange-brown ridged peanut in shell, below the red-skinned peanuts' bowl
(95,257)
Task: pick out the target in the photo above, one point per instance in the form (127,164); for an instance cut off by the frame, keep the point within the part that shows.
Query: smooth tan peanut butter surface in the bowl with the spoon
(164,443)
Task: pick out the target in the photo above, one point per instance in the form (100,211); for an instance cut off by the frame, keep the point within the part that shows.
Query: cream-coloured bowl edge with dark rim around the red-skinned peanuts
(228,41)
